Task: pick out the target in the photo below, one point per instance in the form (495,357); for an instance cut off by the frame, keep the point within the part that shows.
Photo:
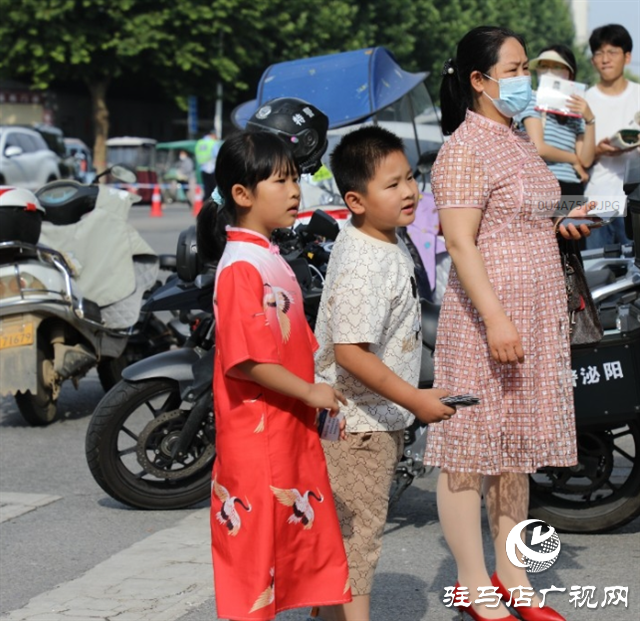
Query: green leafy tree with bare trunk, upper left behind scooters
(186,45)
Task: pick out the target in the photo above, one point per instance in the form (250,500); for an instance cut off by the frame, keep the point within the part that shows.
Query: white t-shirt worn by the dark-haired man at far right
(613,113)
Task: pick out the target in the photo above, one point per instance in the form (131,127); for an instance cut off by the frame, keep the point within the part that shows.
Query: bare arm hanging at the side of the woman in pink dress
(460,228)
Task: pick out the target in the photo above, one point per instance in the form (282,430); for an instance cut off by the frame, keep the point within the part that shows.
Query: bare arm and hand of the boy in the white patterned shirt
(365,366)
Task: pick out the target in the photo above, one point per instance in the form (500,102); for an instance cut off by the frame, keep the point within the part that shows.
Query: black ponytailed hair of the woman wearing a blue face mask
(478,50)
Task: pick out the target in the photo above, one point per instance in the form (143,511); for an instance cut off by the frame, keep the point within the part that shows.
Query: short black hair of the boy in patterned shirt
(355,160)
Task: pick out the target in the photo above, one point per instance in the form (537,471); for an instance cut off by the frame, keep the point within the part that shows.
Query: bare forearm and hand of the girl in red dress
(277,378)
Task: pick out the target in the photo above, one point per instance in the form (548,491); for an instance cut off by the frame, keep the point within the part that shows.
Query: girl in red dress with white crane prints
(276,540)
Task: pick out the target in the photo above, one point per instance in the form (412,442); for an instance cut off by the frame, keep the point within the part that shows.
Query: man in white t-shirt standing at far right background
(614,101)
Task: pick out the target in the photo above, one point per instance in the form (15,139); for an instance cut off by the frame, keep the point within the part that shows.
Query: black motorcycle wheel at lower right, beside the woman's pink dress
(602,493)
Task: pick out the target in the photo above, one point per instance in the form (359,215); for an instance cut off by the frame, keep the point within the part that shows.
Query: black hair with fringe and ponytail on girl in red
(246,158)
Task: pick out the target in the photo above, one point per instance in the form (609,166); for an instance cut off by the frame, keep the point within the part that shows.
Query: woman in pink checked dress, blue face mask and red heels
(503,332)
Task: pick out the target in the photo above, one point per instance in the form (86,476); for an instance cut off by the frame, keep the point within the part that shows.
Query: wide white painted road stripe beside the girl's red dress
(160,578)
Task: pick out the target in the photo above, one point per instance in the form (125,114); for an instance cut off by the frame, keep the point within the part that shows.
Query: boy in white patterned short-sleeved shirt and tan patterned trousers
(368,329)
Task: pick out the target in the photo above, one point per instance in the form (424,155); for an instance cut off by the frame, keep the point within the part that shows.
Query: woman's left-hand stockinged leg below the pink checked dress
(459,497)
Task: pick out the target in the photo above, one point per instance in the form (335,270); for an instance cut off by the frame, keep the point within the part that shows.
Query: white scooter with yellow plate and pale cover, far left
(73,273)
